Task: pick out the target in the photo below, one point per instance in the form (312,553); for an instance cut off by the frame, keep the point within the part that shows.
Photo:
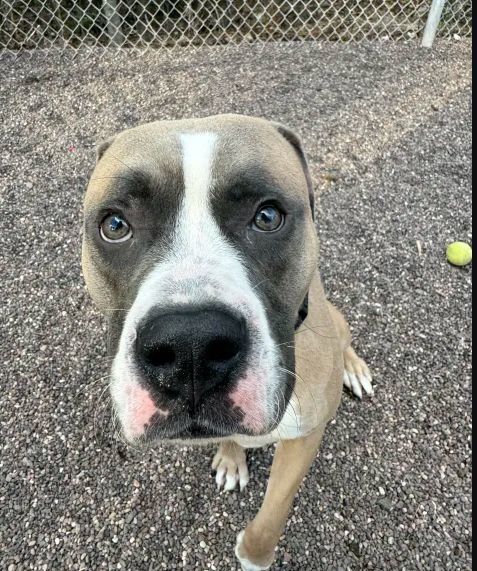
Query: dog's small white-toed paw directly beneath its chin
(230,464)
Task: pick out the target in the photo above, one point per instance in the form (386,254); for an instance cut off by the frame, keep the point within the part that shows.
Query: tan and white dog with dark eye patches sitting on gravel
(200,248)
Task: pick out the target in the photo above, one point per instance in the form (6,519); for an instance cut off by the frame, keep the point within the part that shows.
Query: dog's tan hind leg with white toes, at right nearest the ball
(357,377)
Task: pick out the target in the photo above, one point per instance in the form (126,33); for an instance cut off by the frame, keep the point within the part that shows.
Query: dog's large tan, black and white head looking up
(199,246)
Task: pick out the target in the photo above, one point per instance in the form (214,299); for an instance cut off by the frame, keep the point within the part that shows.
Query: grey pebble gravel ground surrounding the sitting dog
(388,130)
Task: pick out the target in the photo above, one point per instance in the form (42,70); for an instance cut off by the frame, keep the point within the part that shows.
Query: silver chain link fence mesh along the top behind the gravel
(62,24)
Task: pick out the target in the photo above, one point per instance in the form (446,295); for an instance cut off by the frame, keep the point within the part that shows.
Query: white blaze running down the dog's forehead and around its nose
(202,267)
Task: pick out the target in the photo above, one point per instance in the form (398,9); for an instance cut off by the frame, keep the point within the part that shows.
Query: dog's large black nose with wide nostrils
(189,353)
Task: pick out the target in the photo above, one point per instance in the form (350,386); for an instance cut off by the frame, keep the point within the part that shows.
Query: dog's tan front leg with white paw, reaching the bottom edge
(256,545)
